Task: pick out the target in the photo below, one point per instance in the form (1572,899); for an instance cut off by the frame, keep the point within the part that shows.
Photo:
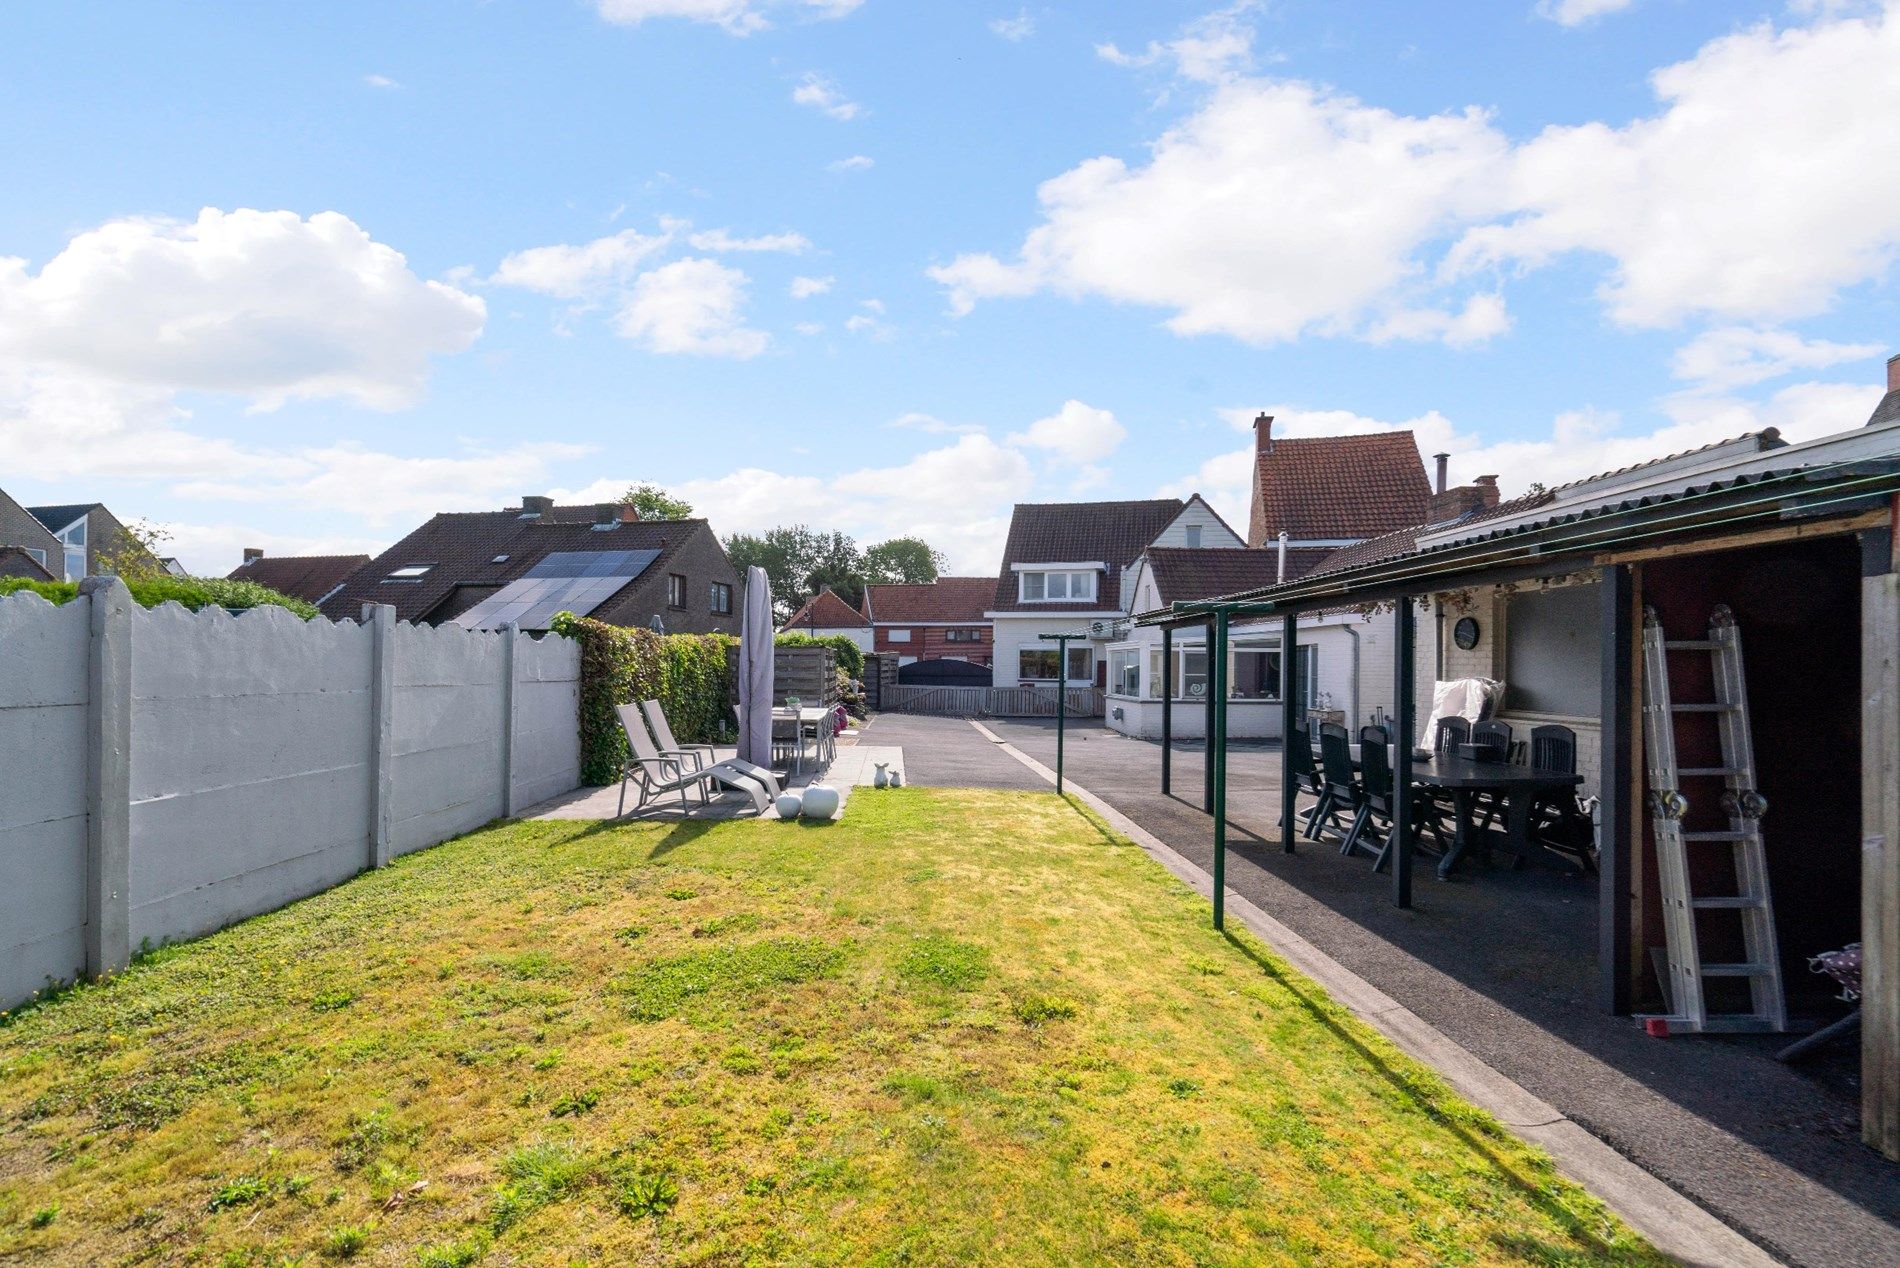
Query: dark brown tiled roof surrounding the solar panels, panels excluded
(491,548)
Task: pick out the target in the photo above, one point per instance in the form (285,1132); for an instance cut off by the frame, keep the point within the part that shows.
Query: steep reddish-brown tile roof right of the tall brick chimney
(1337,488)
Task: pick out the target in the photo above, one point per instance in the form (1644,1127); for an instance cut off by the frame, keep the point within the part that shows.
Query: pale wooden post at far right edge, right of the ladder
(1880,862)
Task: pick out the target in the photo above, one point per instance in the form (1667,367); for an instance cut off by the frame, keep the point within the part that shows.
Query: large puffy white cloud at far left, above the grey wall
(261,305)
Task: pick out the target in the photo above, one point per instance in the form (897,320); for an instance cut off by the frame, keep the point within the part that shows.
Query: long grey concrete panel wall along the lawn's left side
(257,750)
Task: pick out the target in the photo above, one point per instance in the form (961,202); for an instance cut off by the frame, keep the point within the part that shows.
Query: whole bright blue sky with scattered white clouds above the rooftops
(295,277)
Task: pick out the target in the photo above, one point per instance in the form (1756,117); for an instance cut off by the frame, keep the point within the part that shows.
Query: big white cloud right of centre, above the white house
(1276,210)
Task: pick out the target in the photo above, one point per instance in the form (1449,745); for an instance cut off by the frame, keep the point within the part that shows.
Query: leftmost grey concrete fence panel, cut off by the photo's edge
(43,794)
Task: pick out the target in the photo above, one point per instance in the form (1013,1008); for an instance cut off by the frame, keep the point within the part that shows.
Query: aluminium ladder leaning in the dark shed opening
(1745,807)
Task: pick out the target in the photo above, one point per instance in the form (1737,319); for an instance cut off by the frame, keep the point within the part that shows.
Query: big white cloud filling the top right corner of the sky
(1768,183)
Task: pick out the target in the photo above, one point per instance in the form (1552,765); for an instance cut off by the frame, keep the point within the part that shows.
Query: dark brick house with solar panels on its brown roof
(485,569)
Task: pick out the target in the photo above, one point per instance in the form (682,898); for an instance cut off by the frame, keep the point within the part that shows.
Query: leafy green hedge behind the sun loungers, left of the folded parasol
(685,674)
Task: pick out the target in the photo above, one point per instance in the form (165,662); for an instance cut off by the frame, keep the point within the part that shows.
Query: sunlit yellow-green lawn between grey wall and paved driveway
(955,1028)
